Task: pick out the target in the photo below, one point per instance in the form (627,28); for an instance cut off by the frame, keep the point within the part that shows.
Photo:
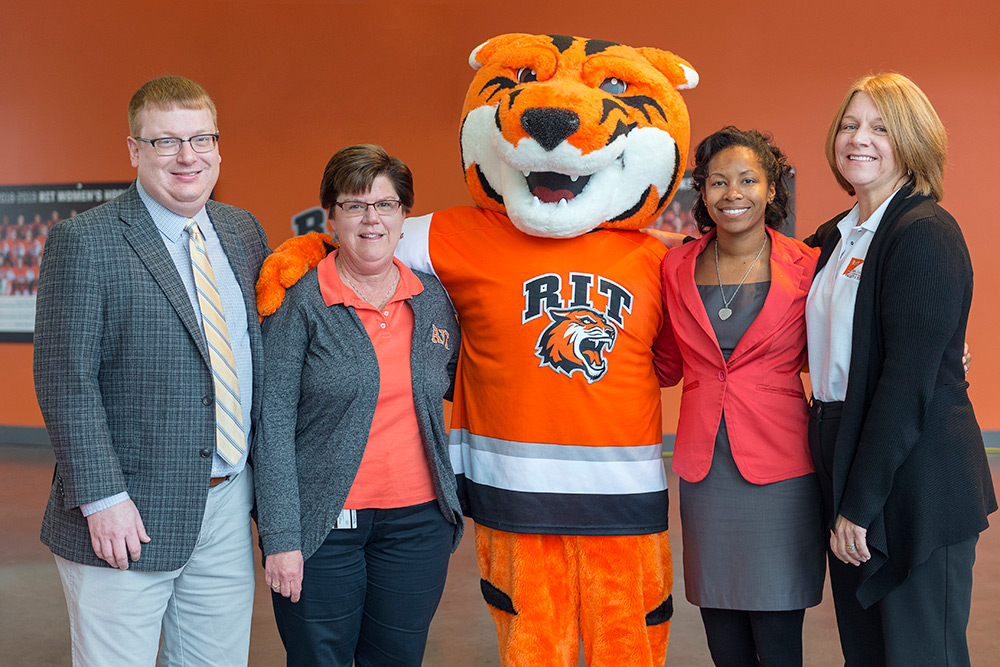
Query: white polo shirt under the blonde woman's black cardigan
(830,305)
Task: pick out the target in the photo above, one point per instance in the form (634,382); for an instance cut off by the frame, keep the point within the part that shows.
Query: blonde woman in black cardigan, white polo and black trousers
(894,438)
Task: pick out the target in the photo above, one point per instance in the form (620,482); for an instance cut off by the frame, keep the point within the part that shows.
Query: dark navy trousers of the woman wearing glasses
(369,593)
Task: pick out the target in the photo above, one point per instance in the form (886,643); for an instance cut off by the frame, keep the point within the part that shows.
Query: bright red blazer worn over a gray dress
(760,387)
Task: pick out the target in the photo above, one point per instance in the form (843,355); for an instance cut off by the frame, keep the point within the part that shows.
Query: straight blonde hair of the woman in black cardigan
(918,138)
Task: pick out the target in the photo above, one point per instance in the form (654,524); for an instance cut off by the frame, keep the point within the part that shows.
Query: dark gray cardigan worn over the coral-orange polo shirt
(321,386)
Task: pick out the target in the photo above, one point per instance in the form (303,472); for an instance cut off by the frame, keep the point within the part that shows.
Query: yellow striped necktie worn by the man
(230,441)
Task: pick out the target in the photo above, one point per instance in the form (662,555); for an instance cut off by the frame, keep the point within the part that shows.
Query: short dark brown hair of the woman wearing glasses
(353,170)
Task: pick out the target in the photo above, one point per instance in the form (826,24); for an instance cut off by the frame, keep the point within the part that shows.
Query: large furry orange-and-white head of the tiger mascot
(565,134)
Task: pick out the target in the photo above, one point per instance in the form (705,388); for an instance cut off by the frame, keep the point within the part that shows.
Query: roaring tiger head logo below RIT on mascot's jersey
(576,340)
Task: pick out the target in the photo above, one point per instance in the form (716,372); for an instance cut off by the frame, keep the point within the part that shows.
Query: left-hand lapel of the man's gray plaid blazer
(141,233)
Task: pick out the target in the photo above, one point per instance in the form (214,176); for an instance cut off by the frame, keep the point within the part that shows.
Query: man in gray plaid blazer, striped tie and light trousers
(148,373)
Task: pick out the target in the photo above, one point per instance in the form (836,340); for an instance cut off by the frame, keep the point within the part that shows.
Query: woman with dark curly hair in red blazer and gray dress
(750,506)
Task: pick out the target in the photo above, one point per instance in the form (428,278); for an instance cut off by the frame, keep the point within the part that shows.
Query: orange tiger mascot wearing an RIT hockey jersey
(569,145)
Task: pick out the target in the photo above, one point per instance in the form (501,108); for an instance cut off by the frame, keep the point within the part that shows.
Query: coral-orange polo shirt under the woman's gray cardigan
(394,470)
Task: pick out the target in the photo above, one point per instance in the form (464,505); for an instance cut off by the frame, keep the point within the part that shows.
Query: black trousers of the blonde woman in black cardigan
(920,622)
